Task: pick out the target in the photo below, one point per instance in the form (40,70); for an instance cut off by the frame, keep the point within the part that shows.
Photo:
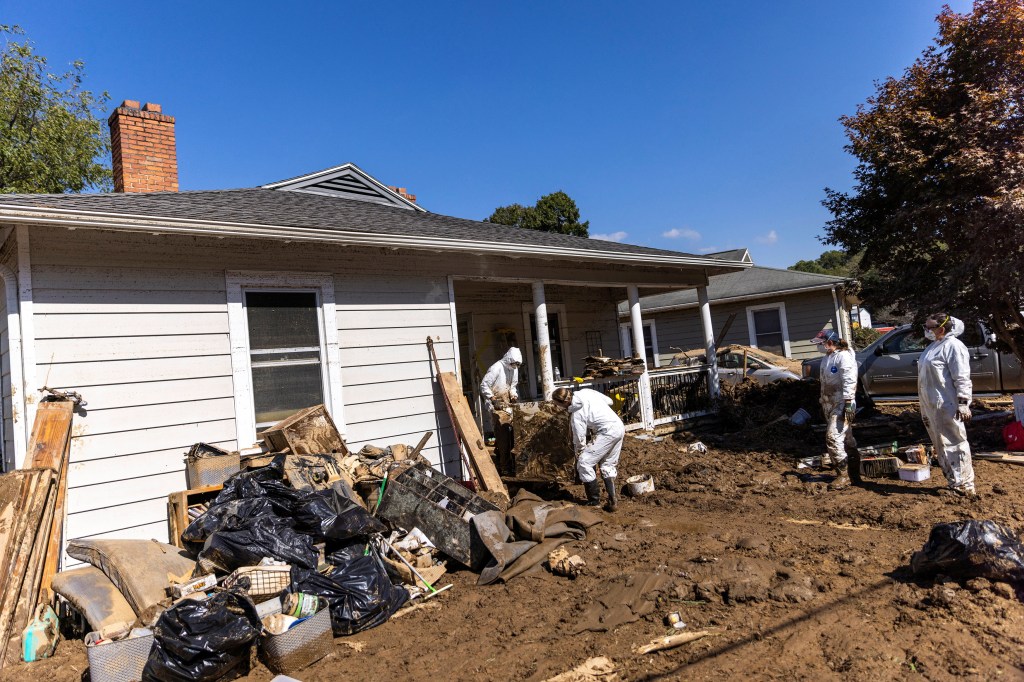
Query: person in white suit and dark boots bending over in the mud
(591,411)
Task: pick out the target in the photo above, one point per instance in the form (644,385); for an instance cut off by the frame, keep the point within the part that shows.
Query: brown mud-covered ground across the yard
(794,581)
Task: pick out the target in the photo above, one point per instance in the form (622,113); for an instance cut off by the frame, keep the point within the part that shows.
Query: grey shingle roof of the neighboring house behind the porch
(752,282)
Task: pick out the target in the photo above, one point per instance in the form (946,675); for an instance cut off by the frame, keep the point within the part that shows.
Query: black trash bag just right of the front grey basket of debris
(360,593)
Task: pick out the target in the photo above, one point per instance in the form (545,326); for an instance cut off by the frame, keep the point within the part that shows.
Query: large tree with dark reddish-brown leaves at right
(938,201)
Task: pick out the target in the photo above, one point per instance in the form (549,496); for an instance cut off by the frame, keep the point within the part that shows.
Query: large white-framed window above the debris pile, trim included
(284,337)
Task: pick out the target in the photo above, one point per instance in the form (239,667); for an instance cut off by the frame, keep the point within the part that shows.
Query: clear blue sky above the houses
(693,126)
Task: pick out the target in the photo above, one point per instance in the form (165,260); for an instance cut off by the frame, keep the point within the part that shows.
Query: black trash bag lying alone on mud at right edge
(971,549)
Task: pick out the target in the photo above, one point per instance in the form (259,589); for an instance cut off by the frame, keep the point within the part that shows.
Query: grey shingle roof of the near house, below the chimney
(296,209)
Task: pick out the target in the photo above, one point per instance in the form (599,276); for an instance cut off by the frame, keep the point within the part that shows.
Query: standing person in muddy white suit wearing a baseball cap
(839,388)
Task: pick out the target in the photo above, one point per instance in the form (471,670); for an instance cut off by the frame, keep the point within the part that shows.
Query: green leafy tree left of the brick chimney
(53,137)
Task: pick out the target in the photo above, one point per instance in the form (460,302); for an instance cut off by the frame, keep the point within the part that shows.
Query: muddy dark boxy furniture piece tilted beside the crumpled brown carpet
(420,497)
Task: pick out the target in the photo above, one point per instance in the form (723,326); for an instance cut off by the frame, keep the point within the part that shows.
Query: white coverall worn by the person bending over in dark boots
(591,410)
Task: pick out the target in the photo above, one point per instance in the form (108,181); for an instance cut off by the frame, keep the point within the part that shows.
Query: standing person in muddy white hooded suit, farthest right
(946,393)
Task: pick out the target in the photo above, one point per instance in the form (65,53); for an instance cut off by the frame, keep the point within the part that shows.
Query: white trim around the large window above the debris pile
(239,281)
